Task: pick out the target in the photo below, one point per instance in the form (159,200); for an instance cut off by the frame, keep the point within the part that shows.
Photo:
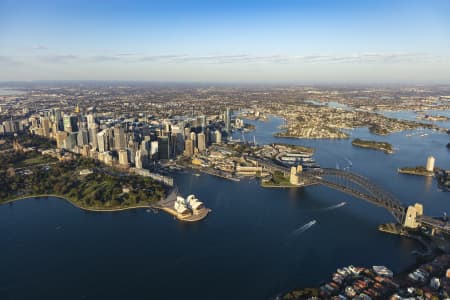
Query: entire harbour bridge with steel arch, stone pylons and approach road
(361,187)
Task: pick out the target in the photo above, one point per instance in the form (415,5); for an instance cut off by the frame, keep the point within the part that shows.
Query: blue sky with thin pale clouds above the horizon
(304,41)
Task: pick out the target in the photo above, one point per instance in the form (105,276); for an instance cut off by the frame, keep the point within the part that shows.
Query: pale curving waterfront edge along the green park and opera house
(148,206)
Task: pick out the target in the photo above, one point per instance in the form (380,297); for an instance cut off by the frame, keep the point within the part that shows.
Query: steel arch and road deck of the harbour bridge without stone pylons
(359,187)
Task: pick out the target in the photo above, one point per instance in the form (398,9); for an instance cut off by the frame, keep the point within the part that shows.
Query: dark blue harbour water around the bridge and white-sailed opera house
(245,249)
